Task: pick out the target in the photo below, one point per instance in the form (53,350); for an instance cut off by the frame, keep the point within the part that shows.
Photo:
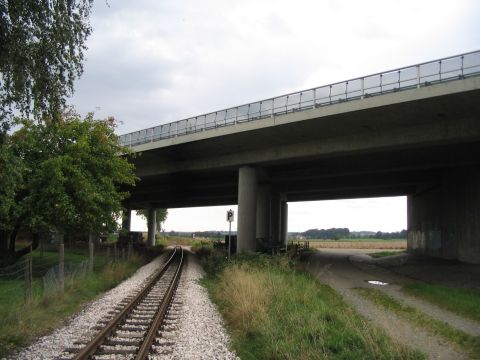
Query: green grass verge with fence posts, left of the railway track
(20,324)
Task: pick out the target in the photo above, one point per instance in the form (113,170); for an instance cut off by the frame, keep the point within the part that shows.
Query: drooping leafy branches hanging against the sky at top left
(42,45)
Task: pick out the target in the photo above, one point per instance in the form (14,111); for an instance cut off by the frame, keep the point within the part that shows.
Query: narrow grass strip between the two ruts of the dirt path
(458,338)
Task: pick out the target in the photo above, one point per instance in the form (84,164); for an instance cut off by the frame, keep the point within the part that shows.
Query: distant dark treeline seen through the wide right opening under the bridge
(345,233)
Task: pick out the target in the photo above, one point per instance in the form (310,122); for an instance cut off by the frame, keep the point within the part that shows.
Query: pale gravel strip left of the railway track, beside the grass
(51,346)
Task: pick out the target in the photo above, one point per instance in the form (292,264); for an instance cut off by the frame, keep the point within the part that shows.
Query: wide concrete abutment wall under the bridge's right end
(444,220)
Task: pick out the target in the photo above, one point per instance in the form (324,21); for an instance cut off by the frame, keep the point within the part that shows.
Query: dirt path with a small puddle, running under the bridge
(346,270)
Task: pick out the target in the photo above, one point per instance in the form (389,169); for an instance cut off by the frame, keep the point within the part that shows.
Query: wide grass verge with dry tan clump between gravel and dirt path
(276,312)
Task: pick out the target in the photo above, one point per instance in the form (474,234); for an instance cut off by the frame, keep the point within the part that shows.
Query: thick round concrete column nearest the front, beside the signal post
(247,206)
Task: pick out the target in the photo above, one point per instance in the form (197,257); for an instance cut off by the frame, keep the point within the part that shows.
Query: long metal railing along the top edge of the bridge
(410,77)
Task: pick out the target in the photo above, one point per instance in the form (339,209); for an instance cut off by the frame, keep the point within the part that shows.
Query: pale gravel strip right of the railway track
(200,332)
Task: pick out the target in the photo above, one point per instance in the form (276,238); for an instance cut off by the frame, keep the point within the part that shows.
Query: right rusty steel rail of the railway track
(157,322)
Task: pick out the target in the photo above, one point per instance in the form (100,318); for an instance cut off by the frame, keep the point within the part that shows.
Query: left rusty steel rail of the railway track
(90,349)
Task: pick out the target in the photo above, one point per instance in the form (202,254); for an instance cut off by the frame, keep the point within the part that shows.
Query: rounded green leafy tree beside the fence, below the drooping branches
(63,176)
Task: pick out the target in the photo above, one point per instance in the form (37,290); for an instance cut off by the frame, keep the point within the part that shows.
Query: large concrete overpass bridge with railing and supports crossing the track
(413,131)
